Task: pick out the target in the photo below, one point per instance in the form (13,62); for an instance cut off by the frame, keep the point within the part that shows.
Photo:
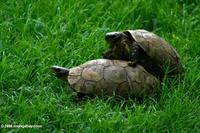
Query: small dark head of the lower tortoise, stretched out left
(60,72)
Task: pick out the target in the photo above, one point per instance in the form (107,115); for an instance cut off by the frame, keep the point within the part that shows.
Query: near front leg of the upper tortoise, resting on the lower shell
(134,53)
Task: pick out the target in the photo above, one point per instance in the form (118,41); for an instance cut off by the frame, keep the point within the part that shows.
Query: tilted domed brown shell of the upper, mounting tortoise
(157,49)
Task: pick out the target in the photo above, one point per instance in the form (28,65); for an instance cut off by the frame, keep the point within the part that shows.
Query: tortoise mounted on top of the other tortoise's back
(146,48)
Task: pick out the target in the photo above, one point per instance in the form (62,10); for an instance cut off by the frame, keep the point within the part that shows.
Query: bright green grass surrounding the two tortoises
(35,35)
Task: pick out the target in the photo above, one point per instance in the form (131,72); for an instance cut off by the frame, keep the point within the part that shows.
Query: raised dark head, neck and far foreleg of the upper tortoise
(119,43)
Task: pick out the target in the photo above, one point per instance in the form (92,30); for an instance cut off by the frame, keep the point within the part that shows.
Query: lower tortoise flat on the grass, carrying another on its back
(109,77)
